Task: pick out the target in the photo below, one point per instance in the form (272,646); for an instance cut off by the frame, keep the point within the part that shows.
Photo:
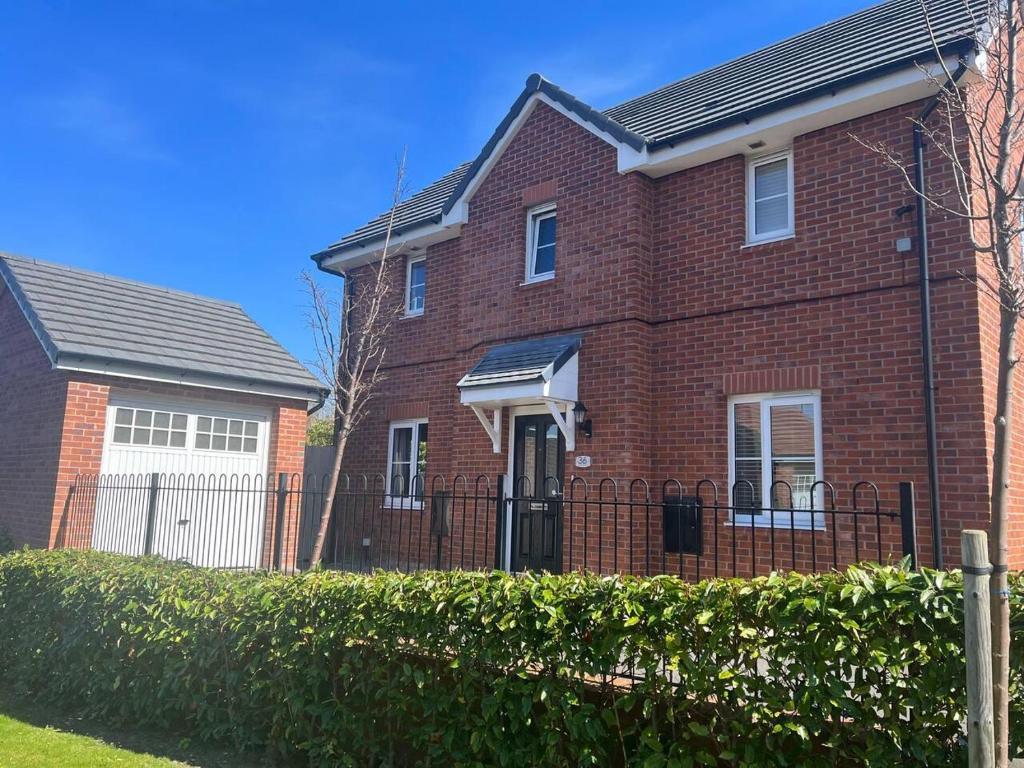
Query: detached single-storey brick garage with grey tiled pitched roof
(101,375)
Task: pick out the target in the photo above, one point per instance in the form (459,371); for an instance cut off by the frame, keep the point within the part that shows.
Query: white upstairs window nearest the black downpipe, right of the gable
(770,198)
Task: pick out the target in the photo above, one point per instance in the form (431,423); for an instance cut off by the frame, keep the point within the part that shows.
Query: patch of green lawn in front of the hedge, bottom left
(32,737)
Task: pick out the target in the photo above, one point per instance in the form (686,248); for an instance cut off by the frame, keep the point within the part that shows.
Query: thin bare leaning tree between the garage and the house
(351,335)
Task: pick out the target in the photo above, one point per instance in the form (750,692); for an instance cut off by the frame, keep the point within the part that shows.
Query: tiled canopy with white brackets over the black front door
(526,373)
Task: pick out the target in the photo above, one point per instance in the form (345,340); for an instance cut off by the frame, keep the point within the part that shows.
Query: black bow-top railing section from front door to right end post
(697,533)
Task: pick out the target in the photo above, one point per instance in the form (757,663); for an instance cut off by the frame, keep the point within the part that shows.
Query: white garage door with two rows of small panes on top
(211,502)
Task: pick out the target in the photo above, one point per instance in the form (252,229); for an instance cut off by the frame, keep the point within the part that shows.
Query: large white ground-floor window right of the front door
(776,459)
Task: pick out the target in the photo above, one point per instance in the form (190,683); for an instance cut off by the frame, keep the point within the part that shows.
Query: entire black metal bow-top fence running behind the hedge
(695,532)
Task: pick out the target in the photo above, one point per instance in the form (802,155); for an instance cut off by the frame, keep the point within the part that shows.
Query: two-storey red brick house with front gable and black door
(719,272)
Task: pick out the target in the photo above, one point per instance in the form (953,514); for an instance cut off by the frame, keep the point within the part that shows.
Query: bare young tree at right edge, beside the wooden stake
(977,130)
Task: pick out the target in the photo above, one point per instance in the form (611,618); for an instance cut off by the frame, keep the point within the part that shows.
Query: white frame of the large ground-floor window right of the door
(800,520)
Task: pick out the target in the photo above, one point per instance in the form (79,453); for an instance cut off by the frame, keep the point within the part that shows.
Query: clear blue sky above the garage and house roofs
(212,147)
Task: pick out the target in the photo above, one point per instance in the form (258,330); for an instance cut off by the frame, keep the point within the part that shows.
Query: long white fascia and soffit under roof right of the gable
(780,129)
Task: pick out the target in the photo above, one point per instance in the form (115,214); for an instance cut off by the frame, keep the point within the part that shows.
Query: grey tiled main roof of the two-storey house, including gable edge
(864,46)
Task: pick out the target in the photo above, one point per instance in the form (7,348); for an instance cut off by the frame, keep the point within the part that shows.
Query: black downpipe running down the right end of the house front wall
(925,288)
